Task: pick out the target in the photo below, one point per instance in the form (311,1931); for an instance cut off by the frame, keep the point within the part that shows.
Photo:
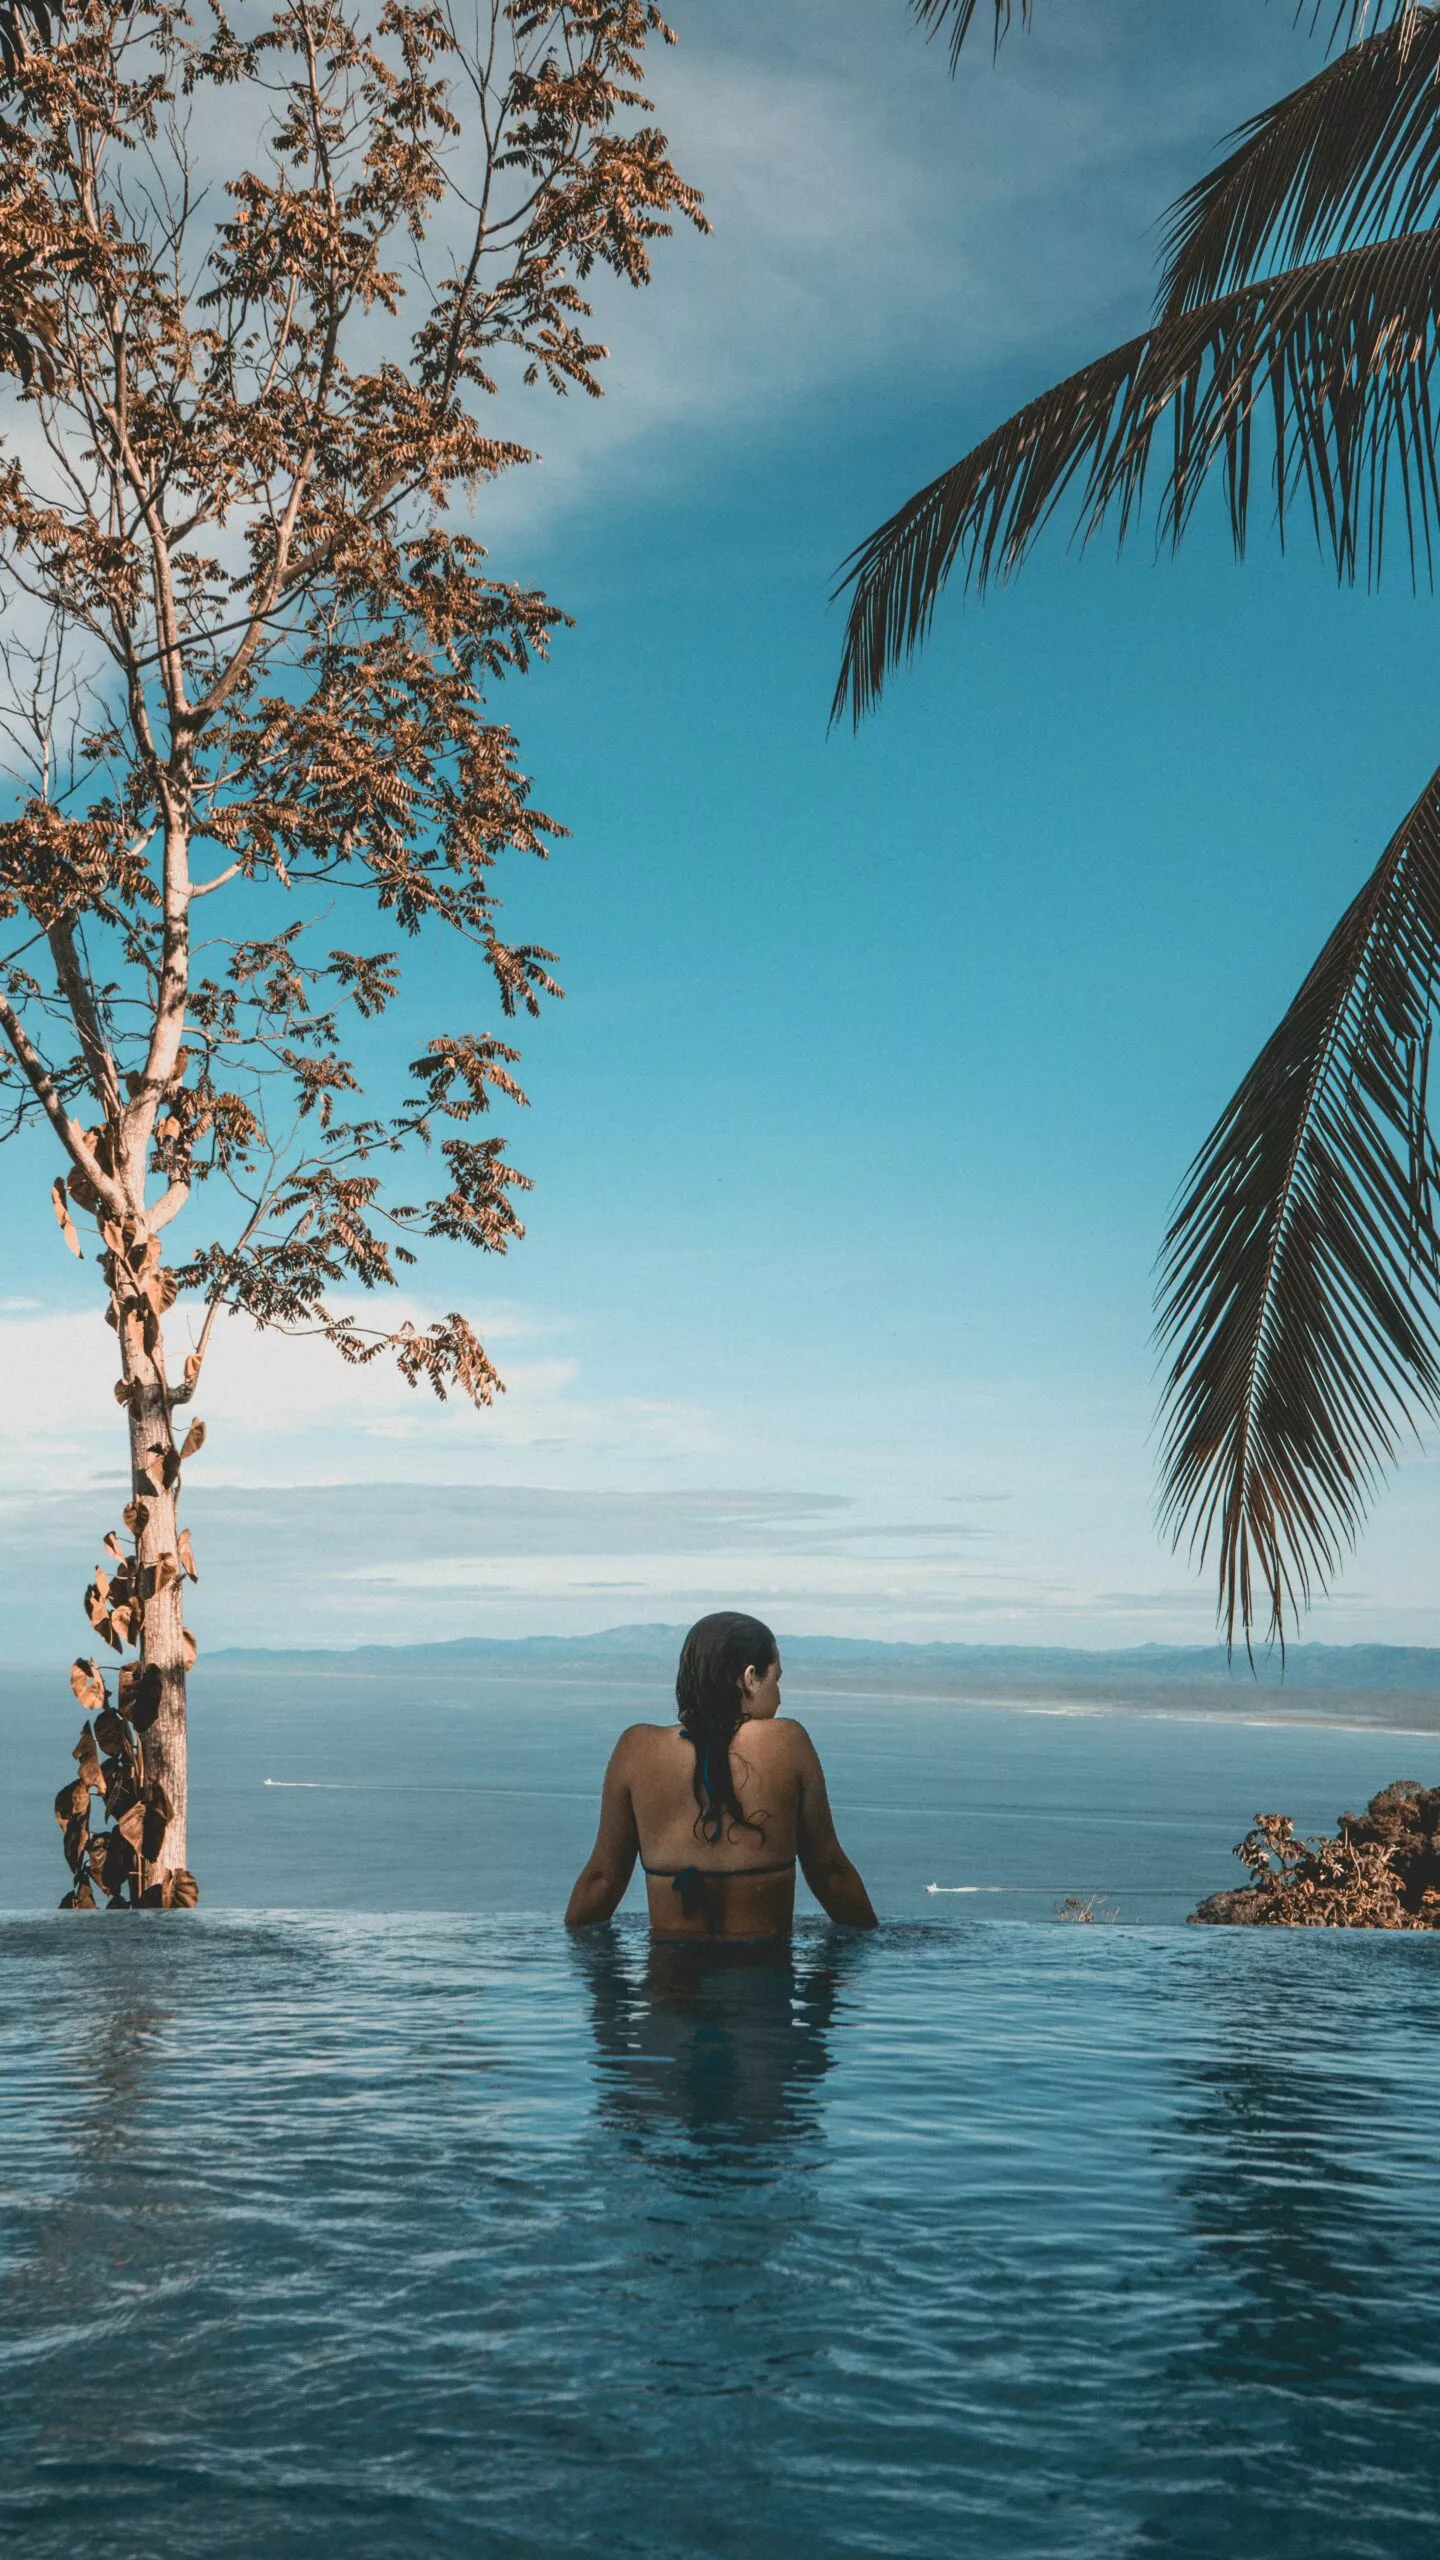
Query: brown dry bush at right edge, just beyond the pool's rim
(1382,1870)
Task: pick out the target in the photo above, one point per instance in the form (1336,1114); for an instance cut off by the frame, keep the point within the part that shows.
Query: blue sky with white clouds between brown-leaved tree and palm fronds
(880,1056)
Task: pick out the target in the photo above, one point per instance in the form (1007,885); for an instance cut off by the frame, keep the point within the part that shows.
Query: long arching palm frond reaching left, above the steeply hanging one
(1331,365)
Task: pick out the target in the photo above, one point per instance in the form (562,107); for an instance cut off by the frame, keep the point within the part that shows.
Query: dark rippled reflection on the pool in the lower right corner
(1308,2369)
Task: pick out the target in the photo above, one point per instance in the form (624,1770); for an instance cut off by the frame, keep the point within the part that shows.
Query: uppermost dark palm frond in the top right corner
(1354,152)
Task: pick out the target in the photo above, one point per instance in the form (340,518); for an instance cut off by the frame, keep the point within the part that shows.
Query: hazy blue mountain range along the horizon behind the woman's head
(1321,1676)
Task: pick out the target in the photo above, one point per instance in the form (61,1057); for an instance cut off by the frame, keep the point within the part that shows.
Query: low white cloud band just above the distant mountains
(340,1507)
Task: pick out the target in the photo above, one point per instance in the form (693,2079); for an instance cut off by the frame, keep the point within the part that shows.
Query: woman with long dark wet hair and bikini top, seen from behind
(721,1806)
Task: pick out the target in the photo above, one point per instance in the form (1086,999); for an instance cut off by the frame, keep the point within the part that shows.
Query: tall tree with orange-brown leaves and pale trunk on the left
(263,273)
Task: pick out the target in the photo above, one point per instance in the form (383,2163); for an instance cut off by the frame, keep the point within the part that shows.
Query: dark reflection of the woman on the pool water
(724,2047)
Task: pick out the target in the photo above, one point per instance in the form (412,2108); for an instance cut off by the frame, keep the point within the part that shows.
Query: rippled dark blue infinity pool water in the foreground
(368,2239)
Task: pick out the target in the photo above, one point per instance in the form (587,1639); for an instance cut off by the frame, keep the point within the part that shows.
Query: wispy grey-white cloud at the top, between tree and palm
(880,221)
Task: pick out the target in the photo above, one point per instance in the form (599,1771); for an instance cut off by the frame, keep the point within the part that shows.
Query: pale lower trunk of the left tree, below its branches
(155,1486)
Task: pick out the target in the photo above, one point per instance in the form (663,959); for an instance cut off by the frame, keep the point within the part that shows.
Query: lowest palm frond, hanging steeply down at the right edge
(1300,1281)
